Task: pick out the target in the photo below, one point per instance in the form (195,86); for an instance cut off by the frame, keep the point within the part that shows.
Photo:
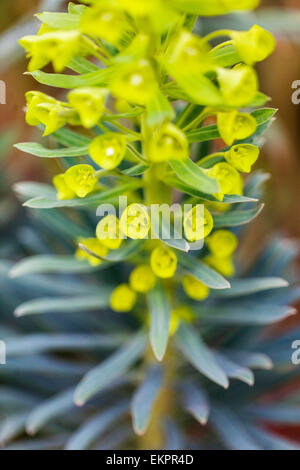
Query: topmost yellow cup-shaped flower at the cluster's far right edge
(254,45)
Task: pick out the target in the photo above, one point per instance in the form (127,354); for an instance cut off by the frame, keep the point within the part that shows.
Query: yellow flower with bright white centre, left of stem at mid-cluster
(108,150)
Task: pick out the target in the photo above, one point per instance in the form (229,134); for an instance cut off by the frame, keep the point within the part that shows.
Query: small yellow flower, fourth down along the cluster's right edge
(242,156)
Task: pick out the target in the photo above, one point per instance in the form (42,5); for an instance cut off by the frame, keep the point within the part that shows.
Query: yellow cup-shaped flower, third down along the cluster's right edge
(234,125)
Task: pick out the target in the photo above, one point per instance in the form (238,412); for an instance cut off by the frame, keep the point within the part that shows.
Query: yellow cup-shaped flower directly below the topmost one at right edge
(238,85)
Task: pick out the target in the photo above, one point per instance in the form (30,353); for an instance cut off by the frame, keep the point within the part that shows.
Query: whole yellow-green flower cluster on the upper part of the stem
(144,83)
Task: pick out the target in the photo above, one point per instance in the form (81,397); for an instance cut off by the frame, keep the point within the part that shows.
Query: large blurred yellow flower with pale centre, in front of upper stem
(134,82)
